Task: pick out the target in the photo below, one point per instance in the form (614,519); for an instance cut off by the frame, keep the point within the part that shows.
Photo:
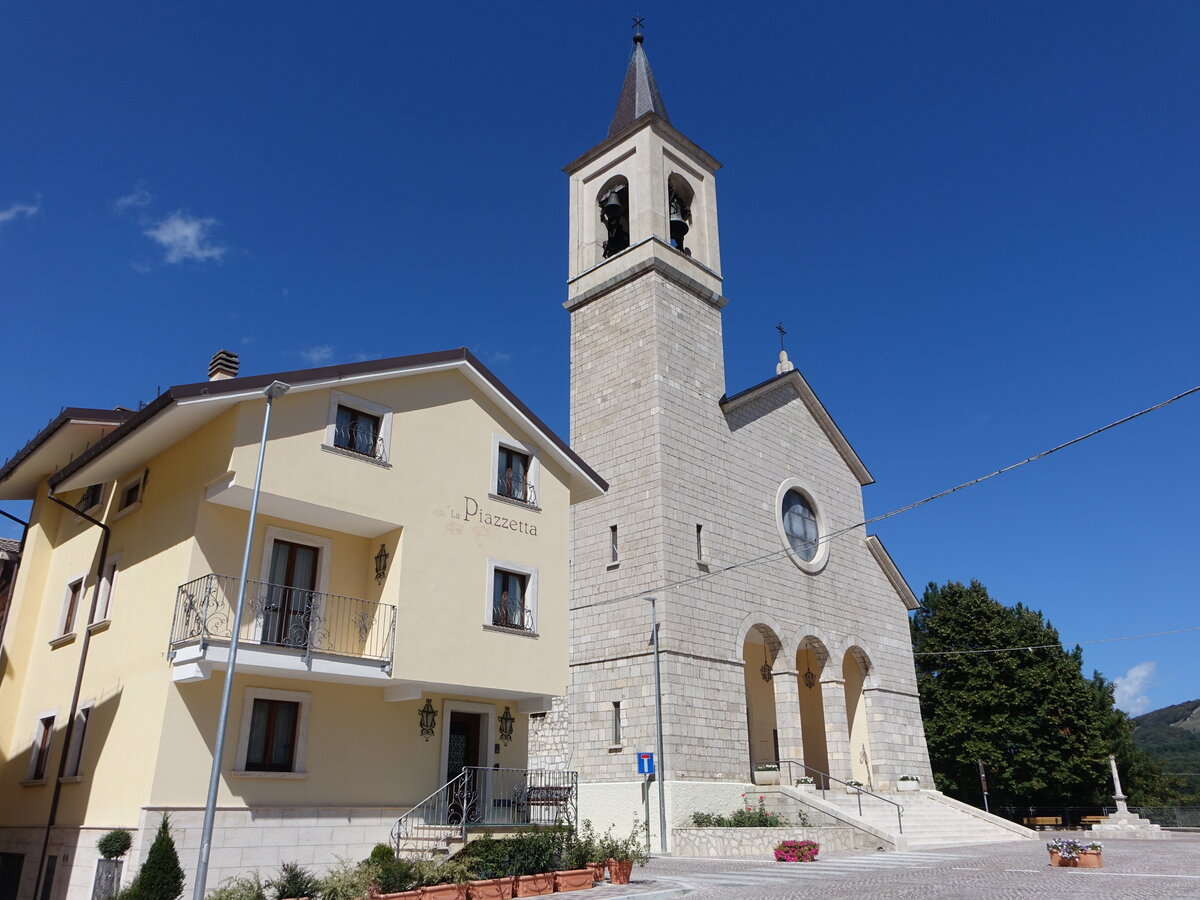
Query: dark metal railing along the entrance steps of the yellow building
(485,797)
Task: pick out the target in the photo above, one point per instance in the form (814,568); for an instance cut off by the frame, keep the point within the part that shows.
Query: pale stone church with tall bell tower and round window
(783,625)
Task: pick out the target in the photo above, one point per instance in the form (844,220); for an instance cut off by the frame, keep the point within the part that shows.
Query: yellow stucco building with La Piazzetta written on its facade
(406,613)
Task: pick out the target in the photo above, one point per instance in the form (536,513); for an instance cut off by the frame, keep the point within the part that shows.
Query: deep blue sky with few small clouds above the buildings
(979,221)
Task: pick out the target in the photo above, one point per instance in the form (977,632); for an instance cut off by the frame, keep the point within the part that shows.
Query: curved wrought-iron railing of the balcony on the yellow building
(278,616)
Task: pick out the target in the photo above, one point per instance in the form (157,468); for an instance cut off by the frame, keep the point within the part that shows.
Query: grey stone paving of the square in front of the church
(1132,871)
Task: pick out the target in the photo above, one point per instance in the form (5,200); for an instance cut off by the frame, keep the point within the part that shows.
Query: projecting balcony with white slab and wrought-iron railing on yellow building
(285,631)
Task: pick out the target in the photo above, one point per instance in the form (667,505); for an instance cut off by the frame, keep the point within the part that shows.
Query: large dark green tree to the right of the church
(1042,730)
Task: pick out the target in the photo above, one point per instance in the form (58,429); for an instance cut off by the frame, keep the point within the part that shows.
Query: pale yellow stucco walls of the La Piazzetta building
(149,741)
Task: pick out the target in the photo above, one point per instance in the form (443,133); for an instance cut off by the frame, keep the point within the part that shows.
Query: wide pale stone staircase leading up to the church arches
(931,819)
